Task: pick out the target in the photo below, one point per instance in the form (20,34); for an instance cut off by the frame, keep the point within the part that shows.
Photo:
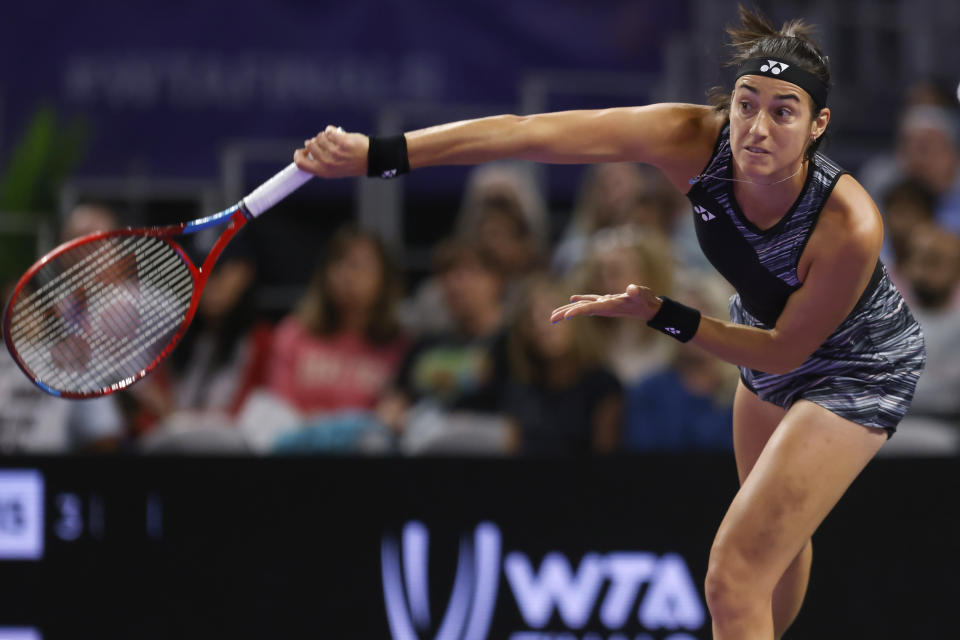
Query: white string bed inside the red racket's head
(100,314)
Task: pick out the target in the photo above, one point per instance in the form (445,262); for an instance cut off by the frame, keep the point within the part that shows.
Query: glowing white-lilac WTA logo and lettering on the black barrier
(599,596)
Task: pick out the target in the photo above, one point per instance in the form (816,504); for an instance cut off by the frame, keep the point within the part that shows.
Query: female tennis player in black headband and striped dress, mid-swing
(828,352)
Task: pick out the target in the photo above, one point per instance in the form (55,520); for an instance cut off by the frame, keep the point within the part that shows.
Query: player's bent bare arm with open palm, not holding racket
(836,266)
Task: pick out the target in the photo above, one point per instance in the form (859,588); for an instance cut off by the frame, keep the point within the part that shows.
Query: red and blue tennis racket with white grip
(98,313)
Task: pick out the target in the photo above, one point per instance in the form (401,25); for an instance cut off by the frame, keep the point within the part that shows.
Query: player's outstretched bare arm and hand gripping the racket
(677,138)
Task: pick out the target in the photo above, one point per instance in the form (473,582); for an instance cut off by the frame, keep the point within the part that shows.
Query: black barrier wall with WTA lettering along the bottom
(396,548)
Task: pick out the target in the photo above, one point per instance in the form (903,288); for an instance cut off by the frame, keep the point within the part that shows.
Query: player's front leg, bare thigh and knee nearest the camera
(806,466)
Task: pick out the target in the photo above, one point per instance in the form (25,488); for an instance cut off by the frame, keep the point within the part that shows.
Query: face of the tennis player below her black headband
(771,124)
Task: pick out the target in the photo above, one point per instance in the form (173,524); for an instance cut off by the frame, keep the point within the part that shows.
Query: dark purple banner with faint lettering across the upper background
(163,86)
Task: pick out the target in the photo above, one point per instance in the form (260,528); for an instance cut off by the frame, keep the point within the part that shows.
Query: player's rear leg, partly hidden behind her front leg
(754,421)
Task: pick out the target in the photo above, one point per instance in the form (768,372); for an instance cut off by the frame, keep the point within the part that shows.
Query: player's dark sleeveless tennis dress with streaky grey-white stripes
(867,369)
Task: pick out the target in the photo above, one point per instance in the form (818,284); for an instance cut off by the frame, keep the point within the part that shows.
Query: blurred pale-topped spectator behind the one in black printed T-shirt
(504,213)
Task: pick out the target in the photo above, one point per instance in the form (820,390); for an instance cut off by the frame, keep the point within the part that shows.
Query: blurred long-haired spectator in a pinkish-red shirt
(333,357)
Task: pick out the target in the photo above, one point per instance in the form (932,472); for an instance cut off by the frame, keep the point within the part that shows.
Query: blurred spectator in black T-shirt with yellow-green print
(449,391)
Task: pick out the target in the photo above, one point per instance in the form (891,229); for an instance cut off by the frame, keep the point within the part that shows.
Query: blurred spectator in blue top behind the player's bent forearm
(688,406)
